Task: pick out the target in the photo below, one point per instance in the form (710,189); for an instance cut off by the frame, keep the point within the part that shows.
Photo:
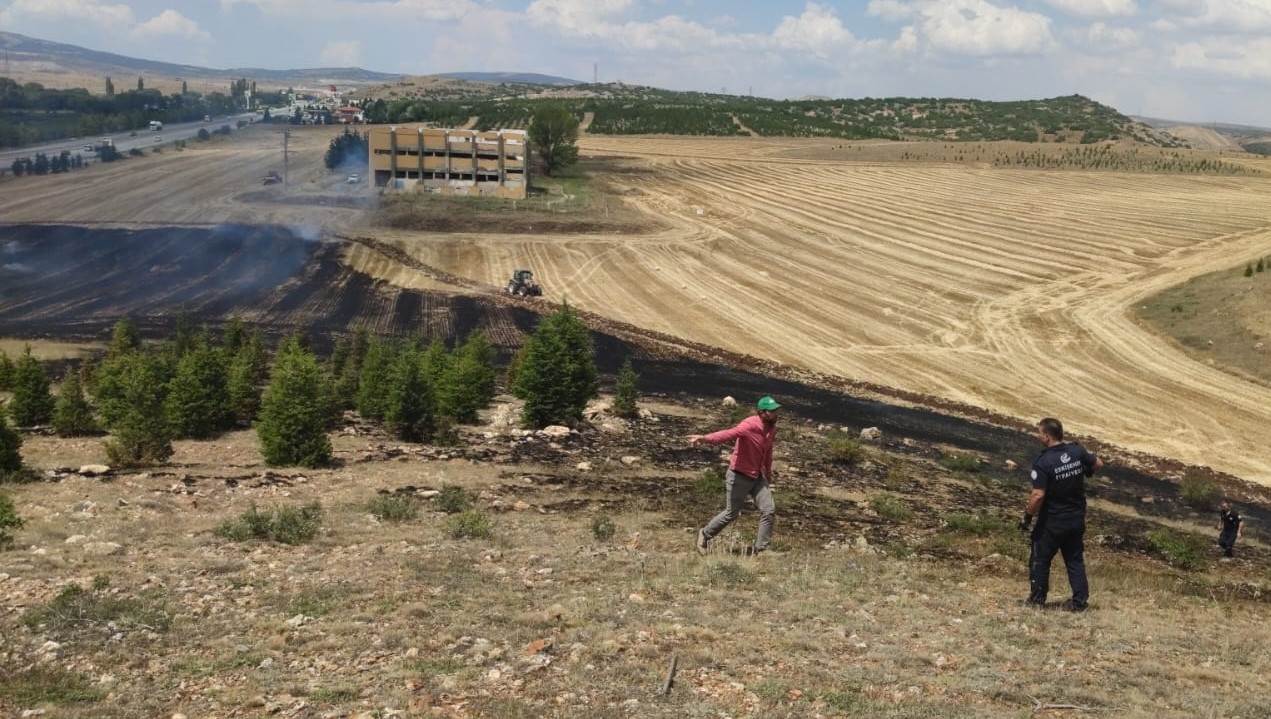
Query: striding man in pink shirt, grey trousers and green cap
(751,473)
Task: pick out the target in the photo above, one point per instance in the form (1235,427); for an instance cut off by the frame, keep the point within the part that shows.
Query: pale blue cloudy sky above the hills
(1195,62)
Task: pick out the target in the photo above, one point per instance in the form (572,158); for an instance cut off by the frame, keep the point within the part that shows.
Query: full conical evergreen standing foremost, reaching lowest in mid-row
(294,411)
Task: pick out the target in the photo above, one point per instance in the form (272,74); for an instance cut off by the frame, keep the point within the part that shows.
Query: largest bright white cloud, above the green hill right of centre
(969,27)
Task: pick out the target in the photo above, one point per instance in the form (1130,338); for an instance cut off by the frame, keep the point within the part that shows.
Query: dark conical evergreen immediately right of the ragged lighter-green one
(199,402)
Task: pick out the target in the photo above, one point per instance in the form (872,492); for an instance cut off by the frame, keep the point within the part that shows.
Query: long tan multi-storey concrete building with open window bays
(451,162)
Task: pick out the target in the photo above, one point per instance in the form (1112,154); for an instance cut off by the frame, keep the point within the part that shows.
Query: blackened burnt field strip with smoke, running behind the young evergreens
(67,283)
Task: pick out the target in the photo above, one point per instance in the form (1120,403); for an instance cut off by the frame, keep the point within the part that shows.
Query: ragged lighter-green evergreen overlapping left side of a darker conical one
(139,433)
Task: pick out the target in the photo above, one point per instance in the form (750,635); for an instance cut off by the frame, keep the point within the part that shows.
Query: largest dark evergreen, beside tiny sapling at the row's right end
(557,375)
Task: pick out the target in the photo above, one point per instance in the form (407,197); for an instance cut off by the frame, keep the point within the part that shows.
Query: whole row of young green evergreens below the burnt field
(195,386)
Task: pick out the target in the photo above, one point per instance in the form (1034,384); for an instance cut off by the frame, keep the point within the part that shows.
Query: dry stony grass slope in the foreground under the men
(543,619)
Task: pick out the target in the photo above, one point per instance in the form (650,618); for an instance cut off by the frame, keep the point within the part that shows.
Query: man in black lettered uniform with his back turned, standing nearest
(1058,501)
